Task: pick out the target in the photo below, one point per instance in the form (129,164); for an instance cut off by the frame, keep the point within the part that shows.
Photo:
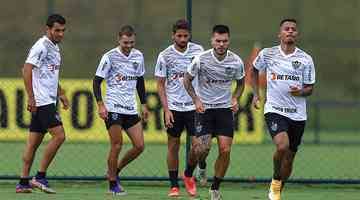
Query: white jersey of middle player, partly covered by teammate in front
(172,65)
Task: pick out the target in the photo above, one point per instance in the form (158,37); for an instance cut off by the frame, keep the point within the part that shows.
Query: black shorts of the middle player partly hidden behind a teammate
(182,120)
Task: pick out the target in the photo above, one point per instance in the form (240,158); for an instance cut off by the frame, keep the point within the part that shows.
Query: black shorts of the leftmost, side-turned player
(44,118)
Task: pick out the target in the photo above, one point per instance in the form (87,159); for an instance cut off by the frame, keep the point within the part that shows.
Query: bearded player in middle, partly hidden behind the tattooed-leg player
(179,110)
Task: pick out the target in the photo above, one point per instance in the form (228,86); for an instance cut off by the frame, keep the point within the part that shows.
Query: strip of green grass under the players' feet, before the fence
(158,191)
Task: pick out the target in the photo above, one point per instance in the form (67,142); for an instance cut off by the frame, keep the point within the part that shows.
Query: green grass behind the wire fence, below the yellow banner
(247,161)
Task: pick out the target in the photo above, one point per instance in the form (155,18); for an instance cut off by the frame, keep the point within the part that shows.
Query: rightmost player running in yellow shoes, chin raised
(290,78)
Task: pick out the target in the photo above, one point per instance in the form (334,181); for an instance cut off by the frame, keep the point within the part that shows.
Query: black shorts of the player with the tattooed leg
(217,121)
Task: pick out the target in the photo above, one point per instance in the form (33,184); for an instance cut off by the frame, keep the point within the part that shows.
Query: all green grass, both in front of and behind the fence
(324,161)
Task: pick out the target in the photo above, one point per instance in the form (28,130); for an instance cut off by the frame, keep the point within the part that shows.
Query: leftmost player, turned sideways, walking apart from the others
(41,79)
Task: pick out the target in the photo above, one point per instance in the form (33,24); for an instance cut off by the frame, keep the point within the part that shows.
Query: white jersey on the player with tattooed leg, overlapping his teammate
(215,77)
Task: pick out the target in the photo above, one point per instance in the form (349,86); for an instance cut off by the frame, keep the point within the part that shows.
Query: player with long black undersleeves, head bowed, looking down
(123,69)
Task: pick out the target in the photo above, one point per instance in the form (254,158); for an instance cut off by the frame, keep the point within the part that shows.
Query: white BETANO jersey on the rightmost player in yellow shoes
(283,71)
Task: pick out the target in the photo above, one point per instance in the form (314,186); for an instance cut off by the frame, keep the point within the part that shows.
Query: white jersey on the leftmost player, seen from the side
(45,57)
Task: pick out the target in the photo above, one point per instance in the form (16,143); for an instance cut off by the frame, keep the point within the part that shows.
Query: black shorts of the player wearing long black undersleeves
(123,120)
